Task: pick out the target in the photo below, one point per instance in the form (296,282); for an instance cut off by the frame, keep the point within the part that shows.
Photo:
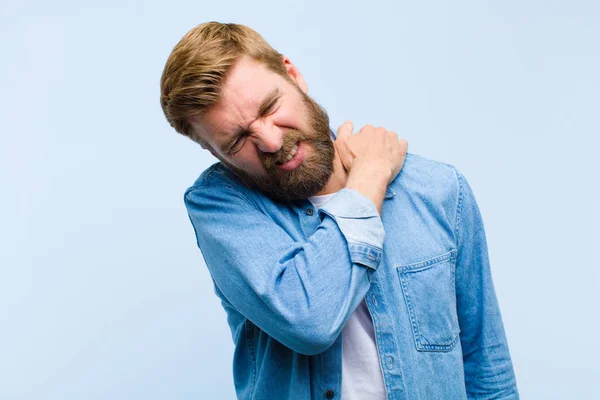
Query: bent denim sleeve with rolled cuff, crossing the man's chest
(300,293)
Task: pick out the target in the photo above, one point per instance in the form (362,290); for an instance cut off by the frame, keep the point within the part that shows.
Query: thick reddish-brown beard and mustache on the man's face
(309,177)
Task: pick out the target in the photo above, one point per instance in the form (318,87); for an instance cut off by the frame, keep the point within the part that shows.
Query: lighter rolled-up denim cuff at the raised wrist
(360,224)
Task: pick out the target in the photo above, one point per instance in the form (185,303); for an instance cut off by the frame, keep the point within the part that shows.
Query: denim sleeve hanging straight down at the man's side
(487,364)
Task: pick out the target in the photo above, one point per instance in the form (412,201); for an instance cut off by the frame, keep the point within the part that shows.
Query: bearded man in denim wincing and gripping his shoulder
(342,276)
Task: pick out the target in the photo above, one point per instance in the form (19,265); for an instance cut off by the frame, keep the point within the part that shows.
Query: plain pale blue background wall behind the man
(103,293)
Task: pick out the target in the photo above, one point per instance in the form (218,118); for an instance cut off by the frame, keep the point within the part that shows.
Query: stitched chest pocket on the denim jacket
(430,297)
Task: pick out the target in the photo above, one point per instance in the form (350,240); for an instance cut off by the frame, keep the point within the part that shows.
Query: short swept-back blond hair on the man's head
(191,81)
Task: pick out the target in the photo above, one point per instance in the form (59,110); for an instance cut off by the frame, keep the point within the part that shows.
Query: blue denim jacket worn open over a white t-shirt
(289,278)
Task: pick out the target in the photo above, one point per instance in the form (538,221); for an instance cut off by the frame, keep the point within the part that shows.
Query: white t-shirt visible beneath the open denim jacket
(361,371)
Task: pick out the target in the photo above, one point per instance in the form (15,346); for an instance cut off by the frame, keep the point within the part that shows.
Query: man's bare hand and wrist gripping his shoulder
(373,158)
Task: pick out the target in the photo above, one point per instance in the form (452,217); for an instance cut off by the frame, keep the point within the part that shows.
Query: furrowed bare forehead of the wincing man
(245,87)
